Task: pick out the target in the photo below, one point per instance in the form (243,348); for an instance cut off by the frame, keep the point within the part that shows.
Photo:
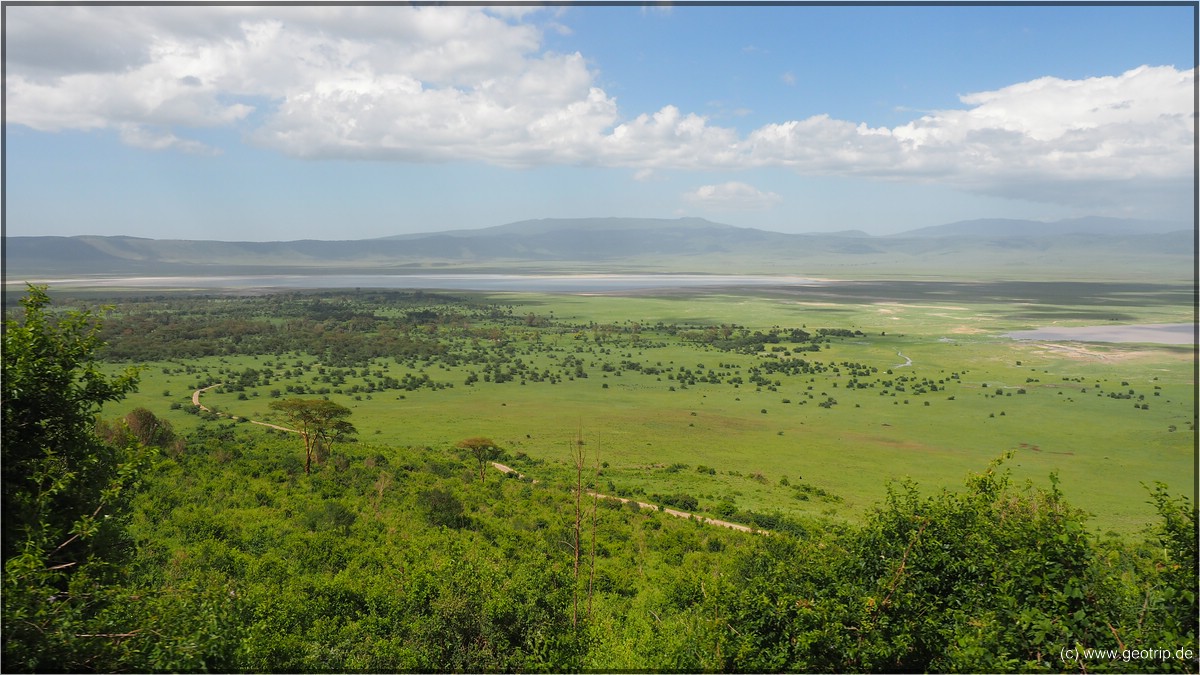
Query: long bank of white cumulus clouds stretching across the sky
(433,85)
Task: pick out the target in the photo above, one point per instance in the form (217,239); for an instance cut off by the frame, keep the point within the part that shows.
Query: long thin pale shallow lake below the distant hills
(532,283)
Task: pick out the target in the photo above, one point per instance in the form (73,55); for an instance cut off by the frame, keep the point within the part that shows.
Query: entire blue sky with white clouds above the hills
(277,123)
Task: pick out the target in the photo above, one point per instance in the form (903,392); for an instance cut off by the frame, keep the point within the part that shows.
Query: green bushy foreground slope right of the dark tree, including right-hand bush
(433,571)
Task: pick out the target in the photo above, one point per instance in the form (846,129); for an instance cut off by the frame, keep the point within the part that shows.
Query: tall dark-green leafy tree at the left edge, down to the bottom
(65,491)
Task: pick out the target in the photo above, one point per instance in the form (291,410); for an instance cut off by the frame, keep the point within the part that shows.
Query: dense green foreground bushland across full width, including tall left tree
(395,559)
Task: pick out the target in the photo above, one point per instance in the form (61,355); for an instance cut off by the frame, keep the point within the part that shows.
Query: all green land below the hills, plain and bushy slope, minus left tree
(916,491)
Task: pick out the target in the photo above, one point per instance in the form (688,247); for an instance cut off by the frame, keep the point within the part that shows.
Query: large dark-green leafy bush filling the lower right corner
(991,580)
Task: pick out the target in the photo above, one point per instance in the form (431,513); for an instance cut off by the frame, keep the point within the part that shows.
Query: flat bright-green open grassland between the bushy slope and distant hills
(922,386)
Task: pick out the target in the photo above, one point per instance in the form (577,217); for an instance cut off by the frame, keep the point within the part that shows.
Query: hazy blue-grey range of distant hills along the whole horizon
(997,248)
